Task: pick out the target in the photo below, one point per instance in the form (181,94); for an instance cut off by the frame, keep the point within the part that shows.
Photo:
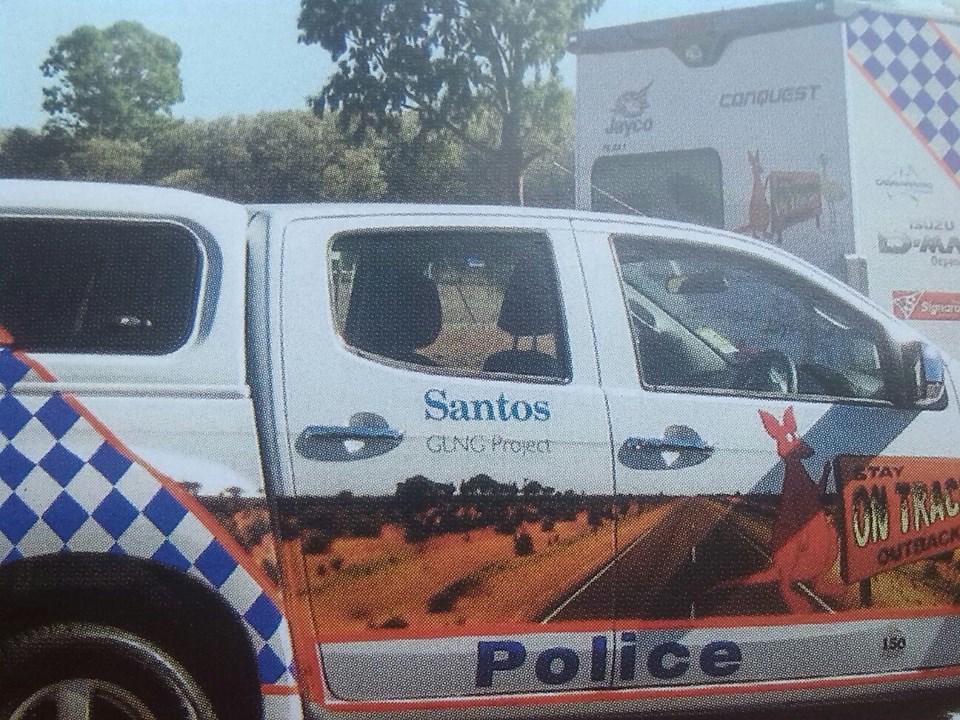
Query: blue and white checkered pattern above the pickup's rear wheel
(65,487)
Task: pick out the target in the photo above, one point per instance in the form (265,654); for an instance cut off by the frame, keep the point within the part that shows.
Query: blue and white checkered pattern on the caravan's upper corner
(917,70)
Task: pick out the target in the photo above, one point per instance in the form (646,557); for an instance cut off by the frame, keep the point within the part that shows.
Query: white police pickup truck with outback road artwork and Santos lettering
(406,461)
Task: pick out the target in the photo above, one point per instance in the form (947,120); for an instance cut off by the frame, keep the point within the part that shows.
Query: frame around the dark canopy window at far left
(201,270)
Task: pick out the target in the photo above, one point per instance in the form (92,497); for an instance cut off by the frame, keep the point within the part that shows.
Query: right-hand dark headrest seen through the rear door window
(530,301)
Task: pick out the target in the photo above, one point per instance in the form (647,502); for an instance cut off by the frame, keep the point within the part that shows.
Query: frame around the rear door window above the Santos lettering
(564,357)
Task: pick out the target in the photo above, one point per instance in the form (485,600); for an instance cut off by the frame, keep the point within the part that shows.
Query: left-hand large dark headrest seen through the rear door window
(393,315)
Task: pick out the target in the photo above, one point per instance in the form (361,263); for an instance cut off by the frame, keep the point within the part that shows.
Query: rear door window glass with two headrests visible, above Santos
(452,301)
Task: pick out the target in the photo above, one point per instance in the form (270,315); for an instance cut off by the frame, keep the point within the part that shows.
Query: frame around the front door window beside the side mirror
(888,355)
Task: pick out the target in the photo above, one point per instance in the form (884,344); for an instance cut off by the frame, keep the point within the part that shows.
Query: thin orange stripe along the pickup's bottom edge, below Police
(658,693)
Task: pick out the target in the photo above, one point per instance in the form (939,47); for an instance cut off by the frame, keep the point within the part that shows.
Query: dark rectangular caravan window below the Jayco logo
(686,185)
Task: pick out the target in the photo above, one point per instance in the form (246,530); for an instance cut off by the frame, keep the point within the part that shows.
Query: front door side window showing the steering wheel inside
(718,321)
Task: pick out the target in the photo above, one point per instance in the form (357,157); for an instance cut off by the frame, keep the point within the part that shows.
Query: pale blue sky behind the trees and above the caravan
(239,56)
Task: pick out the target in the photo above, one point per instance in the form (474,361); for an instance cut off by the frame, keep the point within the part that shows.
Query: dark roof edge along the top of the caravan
(713,31)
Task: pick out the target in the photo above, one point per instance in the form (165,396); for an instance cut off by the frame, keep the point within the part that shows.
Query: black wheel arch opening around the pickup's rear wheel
(180,614)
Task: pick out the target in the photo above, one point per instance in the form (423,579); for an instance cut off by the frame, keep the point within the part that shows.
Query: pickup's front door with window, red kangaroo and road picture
(764,473)
